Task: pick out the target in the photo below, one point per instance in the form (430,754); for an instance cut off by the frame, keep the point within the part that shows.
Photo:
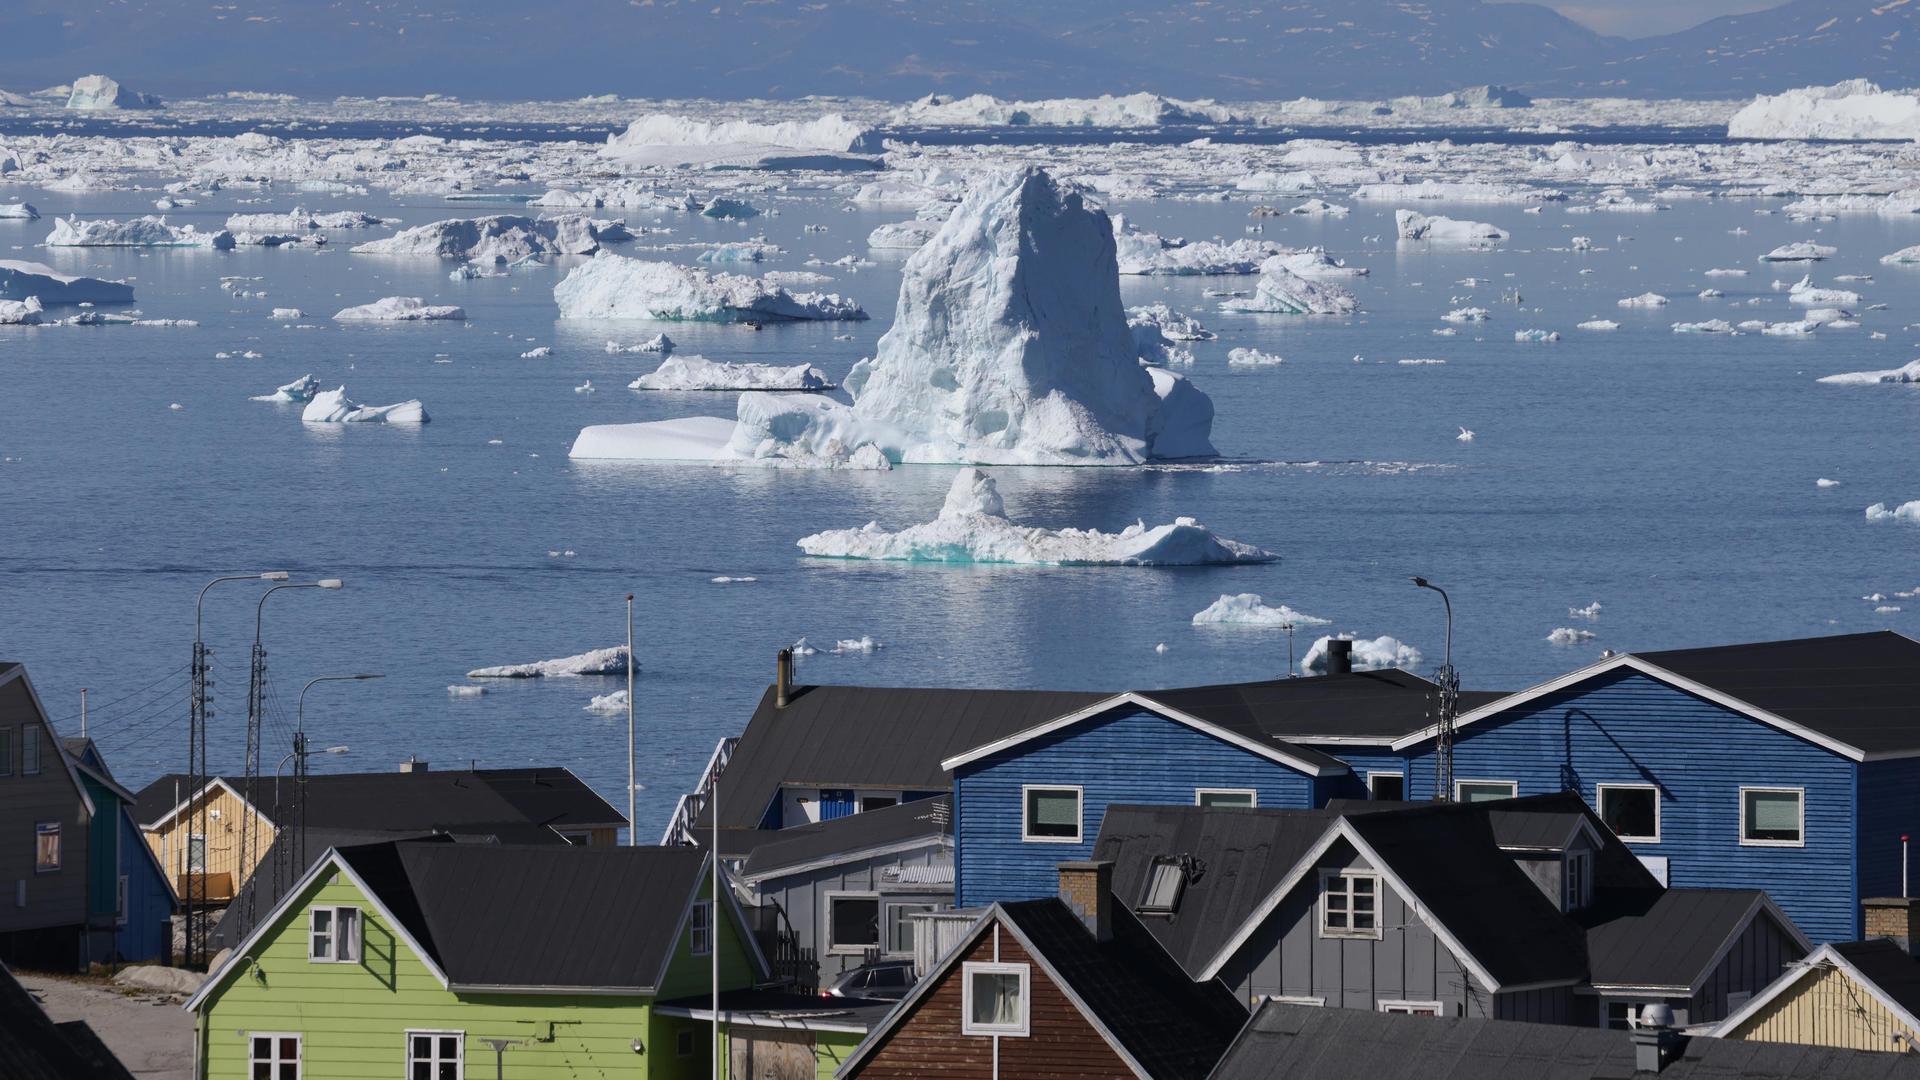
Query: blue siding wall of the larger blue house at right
(1633,729)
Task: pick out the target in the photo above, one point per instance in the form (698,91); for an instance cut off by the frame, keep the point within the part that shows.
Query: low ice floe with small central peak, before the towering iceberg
(974,529)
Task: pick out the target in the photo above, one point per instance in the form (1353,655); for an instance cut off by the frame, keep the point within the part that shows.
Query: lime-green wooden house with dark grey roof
(437,962)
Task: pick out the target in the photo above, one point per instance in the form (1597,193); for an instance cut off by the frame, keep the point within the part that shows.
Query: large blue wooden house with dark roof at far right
(1781,766)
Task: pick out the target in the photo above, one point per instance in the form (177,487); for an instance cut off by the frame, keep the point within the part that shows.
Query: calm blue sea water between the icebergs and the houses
(1669,478)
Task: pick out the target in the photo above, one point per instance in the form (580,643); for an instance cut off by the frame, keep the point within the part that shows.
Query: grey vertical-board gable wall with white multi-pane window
(1287,956)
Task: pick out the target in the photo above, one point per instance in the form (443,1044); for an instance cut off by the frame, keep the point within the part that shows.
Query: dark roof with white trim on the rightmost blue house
(1856,695)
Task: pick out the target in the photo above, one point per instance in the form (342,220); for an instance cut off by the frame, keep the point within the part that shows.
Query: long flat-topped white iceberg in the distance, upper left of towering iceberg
(671,141)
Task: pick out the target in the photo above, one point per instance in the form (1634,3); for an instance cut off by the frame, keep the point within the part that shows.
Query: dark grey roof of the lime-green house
(537,916)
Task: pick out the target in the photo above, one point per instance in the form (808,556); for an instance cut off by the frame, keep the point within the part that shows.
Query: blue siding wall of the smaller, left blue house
(1130,756)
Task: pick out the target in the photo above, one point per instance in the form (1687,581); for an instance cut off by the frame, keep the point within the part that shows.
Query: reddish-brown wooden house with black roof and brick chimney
(1067,989)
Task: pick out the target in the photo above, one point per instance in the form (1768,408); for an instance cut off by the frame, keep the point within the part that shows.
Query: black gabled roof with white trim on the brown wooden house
(1159,1021)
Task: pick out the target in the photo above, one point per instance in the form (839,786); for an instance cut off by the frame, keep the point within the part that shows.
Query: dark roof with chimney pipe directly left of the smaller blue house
(871,737)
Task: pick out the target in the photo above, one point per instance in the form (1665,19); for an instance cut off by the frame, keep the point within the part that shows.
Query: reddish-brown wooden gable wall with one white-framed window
(1061,1044)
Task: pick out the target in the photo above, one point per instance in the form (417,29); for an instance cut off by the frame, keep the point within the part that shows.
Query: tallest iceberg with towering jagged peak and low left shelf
(1009,347)
